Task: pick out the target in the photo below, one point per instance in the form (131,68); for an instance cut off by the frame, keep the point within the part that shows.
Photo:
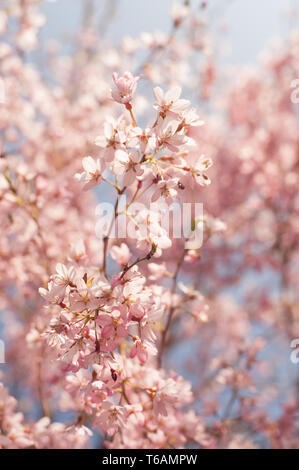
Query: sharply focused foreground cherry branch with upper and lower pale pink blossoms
(111,328)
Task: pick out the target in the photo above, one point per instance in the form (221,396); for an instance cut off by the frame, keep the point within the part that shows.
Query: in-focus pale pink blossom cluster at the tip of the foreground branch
(154,156)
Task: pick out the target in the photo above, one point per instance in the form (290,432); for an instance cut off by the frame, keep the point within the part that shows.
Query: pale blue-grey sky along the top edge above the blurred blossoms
(250,23)
